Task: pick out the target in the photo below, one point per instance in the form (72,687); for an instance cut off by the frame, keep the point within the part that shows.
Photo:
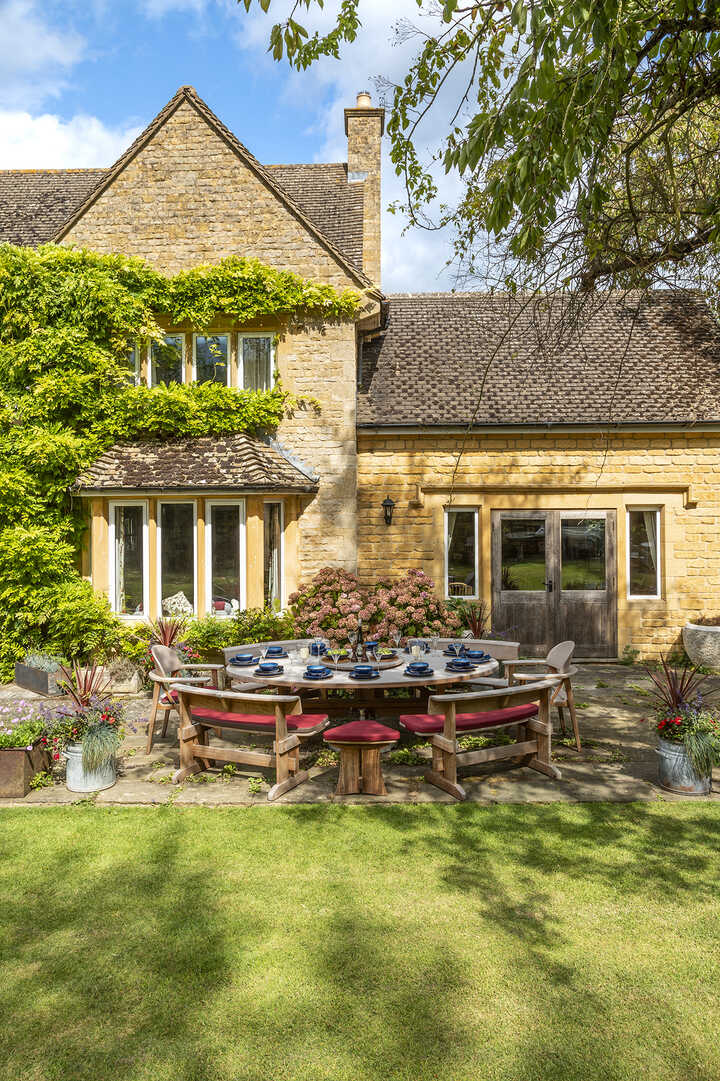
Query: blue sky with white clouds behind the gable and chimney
(79,81)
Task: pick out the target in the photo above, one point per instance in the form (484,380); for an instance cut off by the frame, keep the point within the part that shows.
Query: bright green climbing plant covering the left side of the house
(68,321)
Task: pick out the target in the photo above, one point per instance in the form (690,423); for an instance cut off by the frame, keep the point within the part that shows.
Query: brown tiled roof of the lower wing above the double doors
(451,359)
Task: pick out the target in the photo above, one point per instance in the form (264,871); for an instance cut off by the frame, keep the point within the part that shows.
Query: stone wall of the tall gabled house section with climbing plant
(188,199)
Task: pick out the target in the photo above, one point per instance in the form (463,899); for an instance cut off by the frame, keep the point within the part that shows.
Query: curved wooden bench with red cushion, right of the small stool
(525,709)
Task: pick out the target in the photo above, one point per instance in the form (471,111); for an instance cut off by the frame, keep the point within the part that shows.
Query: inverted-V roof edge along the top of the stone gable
(190,96)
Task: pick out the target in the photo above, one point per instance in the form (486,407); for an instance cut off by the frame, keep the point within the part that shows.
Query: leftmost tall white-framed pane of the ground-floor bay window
(129,559)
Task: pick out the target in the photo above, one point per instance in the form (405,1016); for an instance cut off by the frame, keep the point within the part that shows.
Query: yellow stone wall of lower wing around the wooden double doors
(678,474)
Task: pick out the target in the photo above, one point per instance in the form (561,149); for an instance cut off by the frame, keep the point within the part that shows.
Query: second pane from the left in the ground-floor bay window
(178,558)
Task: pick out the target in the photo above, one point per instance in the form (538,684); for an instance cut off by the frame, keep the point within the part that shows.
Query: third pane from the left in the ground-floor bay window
(225,557)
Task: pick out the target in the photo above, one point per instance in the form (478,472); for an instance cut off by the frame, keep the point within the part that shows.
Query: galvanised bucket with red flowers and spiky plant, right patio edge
(688,731)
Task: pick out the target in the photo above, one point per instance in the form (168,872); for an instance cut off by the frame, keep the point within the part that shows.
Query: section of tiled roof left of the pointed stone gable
(36,203)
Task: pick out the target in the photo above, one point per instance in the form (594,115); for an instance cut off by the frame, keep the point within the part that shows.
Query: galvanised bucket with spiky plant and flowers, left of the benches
(87,732)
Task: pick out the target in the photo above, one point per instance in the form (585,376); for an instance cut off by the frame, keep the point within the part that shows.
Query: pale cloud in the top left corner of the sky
(36,57)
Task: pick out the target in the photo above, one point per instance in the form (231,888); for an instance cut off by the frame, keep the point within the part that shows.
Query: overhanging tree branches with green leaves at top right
(586,134)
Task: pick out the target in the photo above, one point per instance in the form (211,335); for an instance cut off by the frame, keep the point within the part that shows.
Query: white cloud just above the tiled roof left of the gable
(48,142)
